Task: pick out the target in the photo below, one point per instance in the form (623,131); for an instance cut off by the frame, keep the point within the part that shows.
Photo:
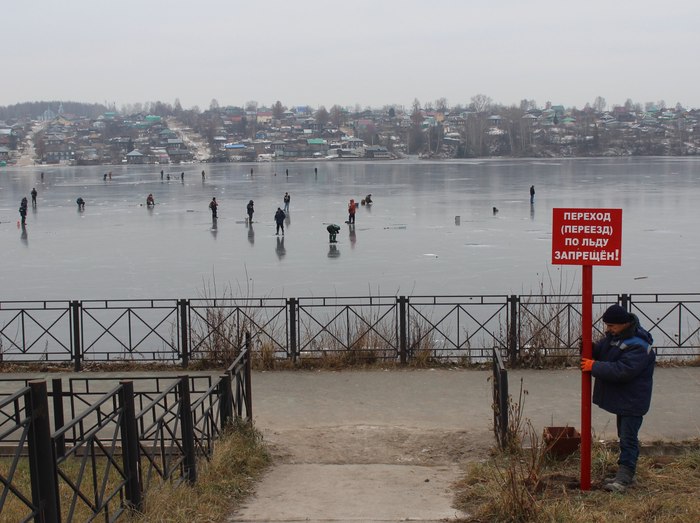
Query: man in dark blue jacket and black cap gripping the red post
(623,368)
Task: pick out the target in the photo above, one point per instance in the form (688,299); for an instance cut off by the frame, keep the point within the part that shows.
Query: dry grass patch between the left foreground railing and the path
(239,459)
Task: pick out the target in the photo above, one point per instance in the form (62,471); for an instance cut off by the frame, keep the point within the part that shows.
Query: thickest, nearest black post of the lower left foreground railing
(42,461)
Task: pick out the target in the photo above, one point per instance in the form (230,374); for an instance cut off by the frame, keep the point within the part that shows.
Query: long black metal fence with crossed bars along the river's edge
(399,328)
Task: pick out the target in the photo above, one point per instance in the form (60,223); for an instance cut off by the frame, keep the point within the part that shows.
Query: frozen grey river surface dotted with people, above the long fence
(407,242)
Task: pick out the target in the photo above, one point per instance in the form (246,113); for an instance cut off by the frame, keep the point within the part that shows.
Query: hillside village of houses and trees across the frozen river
(171,135)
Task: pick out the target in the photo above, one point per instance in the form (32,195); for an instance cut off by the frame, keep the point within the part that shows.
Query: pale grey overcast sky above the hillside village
(366,52)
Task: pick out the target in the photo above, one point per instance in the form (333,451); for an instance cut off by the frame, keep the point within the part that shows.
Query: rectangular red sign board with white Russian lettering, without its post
(587,236)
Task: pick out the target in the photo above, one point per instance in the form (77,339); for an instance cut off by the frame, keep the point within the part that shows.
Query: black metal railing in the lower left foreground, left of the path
(120,437)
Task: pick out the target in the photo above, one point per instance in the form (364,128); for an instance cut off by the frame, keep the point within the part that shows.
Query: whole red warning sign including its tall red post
(586,237)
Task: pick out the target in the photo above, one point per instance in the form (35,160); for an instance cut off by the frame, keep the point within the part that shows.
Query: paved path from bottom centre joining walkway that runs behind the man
(387,445)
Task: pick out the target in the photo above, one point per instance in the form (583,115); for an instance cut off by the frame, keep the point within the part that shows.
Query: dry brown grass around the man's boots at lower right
(666,490)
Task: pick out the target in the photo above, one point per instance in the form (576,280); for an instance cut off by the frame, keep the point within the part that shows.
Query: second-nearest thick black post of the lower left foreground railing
(130,445)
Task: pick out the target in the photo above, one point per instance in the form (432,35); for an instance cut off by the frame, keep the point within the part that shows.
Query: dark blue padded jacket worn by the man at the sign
(623,371)
